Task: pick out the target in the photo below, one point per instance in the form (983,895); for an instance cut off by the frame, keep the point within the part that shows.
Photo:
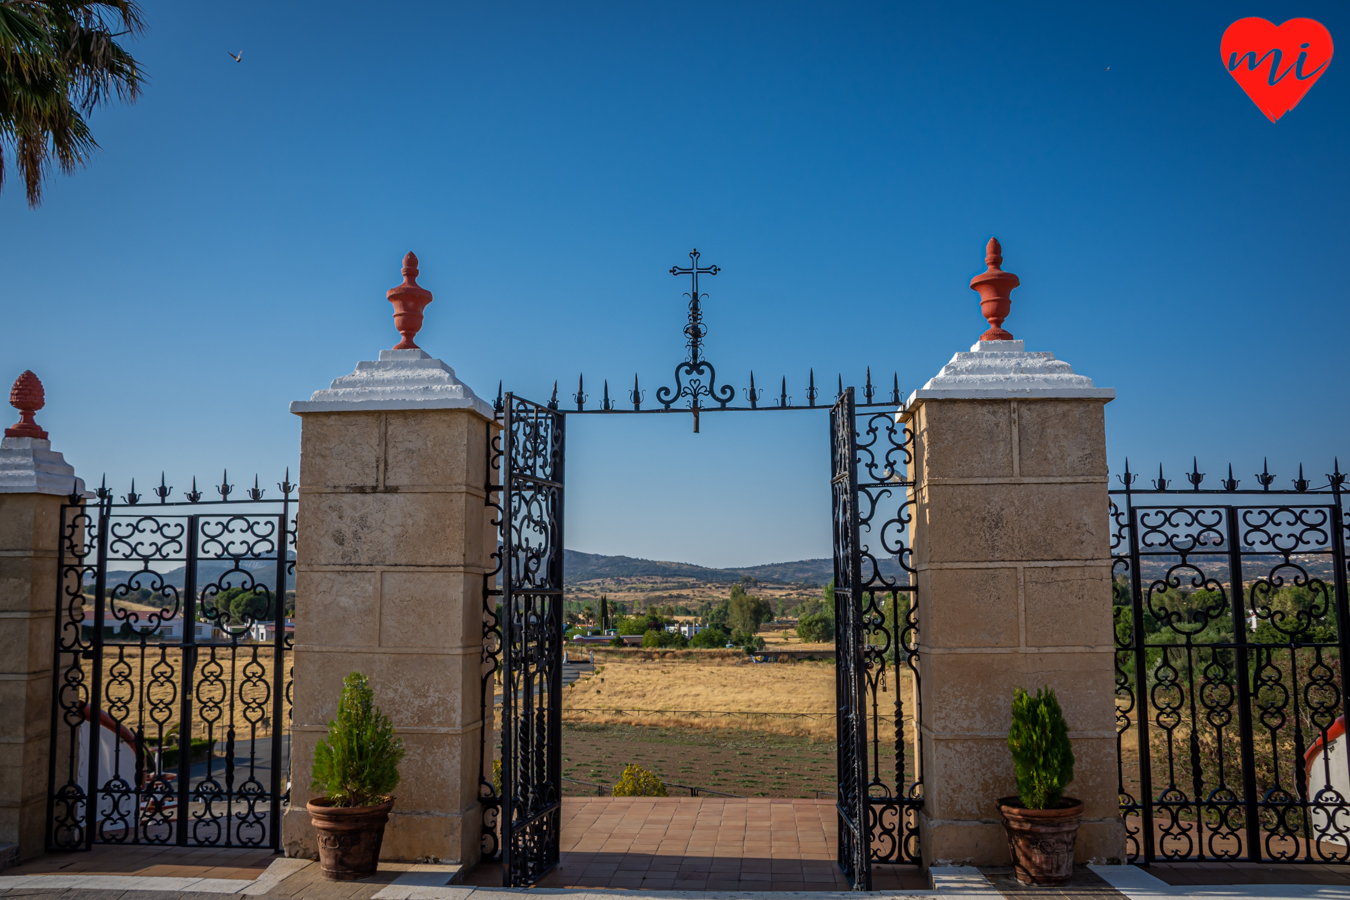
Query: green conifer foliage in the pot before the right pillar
(1043,756)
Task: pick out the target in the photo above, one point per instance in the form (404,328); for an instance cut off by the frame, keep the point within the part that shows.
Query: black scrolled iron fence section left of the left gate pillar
(171,687)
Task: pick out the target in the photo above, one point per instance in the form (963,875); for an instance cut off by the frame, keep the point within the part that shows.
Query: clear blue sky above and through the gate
(844,164)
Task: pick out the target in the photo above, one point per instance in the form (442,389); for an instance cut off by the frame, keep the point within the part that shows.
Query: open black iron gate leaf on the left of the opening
(533,639)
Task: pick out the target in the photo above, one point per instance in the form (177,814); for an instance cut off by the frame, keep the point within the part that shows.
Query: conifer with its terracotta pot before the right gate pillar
(1042,824)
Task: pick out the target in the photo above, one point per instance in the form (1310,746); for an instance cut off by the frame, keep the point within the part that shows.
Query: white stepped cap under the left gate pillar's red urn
(399,380)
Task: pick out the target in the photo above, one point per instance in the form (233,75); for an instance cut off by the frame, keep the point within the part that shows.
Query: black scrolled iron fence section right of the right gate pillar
(1232,627)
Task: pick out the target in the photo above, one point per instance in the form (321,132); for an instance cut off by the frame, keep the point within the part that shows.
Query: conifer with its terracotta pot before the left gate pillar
(356,768)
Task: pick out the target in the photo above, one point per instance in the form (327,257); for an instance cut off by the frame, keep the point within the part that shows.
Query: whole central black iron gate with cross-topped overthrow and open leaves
(881,785)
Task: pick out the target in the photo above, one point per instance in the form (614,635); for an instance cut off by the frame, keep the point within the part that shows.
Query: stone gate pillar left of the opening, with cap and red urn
(394,544)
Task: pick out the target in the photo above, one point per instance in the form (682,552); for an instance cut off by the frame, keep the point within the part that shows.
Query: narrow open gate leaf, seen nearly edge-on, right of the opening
(850,663)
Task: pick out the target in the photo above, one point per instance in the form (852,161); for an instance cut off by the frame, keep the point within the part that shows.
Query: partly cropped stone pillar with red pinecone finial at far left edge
(34,484)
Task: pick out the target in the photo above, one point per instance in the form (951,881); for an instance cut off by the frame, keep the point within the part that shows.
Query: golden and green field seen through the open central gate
(715,720)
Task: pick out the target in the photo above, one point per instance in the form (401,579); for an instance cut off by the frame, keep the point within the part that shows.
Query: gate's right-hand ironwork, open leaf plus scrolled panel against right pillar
(877,631)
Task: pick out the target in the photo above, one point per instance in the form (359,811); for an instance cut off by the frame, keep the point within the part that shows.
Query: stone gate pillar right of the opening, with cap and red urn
(1012,546)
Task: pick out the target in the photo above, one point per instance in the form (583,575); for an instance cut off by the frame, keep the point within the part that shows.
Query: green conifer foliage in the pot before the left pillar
(358,764)
